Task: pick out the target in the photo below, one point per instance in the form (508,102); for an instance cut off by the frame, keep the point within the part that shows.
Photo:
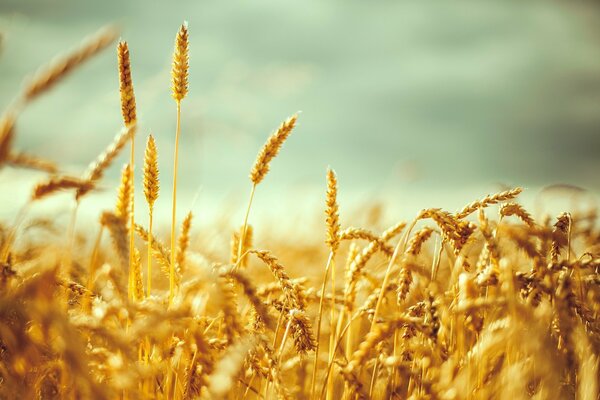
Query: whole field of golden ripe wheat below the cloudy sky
(452,305)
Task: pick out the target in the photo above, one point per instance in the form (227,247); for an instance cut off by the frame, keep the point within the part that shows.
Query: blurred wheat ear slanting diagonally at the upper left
(51,74)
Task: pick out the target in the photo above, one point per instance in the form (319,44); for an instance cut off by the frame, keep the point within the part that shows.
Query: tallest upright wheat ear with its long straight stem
(179,76)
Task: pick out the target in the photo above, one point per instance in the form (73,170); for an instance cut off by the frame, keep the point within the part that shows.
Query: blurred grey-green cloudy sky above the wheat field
(414,104)
